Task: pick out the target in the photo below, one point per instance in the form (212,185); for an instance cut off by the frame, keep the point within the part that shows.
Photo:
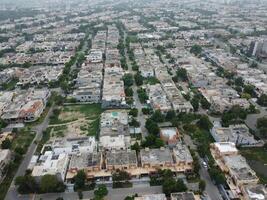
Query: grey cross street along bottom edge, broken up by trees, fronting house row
(114,194)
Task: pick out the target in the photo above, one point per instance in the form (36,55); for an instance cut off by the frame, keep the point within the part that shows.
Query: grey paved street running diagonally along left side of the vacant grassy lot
(12,192)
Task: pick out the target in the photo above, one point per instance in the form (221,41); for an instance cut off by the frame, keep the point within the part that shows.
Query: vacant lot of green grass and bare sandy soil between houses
(76,120)
